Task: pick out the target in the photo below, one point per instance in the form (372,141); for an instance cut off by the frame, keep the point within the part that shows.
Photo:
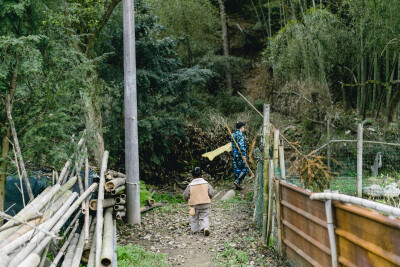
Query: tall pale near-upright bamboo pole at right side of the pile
(99,224)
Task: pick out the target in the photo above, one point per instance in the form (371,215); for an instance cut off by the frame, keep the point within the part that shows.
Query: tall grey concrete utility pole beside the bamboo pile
(131,129)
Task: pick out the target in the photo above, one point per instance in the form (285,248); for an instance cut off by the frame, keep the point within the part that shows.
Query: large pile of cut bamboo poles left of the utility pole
(26,238)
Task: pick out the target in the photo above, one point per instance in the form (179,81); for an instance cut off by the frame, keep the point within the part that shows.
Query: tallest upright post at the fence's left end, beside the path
(266,127)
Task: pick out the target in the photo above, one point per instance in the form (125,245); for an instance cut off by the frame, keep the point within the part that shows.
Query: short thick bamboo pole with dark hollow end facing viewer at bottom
(107,246)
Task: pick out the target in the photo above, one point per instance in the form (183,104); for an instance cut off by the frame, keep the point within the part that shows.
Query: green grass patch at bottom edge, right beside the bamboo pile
(137,256)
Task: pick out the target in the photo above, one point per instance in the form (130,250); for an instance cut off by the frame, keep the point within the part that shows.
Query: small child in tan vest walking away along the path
(199,193)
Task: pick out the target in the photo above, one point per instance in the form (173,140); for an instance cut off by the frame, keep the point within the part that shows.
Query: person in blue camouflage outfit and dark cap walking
(239,156)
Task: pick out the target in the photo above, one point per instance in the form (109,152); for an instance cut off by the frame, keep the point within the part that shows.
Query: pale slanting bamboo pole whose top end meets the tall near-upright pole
(37,248)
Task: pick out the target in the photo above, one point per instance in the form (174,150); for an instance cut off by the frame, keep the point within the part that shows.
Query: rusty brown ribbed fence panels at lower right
(363,237)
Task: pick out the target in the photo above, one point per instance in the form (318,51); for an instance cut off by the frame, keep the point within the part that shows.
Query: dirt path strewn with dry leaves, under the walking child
(234,240)
